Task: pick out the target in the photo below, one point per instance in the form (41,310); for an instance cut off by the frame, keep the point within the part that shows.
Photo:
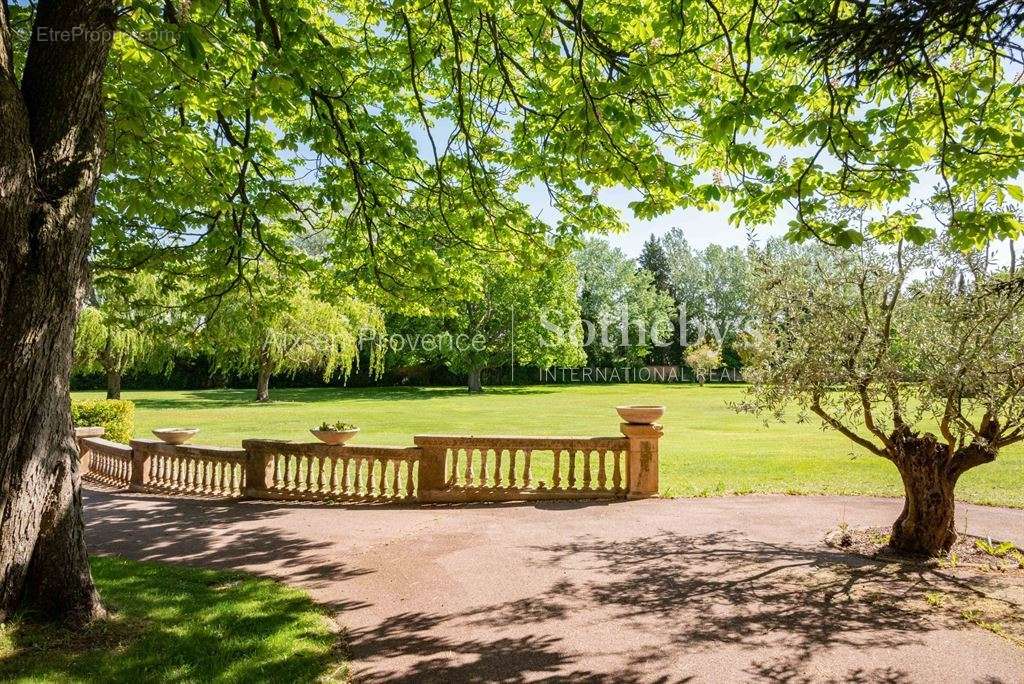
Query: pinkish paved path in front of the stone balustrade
(710,590)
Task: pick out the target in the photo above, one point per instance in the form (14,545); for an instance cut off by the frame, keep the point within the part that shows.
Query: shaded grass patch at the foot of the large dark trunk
(174,624)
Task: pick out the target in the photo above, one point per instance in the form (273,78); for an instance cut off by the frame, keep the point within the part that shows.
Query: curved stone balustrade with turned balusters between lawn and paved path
(438,469)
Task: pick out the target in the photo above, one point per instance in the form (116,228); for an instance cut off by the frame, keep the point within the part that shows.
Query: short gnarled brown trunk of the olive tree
(930,471)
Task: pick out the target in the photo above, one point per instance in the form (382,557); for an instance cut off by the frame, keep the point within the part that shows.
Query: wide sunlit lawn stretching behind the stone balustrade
(708,449)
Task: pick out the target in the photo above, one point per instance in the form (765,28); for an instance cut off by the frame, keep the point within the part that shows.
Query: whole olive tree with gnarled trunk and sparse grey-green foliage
(913,355)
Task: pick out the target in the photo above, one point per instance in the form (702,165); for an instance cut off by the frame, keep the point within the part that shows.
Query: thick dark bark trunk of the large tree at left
(51,152)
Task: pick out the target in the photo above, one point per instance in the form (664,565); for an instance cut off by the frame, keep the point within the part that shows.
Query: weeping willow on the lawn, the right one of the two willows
(269,334)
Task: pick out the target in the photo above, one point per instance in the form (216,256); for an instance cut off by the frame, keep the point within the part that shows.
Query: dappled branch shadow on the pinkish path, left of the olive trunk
(691,597)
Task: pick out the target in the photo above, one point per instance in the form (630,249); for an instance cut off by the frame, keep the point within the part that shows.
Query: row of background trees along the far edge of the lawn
(590,305)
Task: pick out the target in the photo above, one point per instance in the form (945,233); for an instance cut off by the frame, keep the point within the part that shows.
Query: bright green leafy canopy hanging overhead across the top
(403,133)
